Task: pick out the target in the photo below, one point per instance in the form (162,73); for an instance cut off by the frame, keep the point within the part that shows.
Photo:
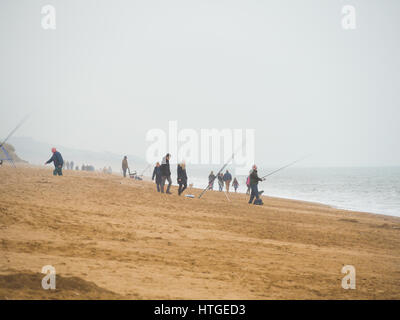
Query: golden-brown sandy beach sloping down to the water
(114,238)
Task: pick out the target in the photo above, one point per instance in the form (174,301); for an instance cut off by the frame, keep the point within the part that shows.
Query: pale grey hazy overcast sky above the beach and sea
(112,70)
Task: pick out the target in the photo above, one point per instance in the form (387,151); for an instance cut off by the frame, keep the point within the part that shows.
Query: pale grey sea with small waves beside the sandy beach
(374,190)
